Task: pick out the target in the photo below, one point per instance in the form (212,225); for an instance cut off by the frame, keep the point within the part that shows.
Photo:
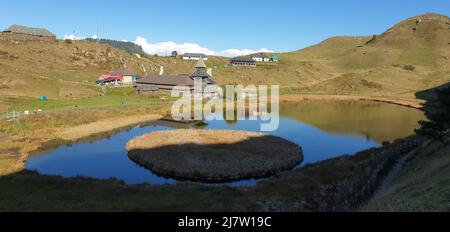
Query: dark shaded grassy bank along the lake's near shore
(311,188)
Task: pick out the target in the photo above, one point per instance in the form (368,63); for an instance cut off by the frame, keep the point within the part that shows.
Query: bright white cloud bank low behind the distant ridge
(166,48)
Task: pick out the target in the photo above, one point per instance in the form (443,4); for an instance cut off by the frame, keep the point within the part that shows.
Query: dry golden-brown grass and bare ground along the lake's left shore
(50,130)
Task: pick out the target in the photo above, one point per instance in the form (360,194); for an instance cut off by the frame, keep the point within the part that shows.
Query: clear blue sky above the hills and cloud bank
(278,25)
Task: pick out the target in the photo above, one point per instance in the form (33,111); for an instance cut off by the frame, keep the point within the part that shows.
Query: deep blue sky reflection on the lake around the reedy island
(107,158)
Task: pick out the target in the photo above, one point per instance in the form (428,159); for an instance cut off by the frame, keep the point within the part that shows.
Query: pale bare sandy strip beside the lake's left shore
(102,126)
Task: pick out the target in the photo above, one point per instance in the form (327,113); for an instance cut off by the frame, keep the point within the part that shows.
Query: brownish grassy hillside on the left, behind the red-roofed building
(60,68)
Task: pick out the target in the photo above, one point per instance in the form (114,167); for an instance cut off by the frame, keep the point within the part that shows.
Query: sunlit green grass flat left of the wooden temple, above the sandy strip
(57,113)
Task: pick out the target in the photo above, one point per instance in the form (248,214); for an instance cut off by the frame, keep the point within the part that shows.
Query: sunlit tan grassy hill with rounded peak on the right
(411,56)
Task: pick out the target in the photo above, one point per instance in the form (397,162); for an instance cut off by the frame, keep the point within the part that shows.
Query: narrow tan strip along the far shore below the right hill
(413,103)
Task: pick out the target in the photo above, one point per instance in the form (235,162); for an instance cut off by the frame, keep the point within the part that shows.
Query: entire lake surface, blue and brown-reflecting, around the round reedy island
(324,129)
